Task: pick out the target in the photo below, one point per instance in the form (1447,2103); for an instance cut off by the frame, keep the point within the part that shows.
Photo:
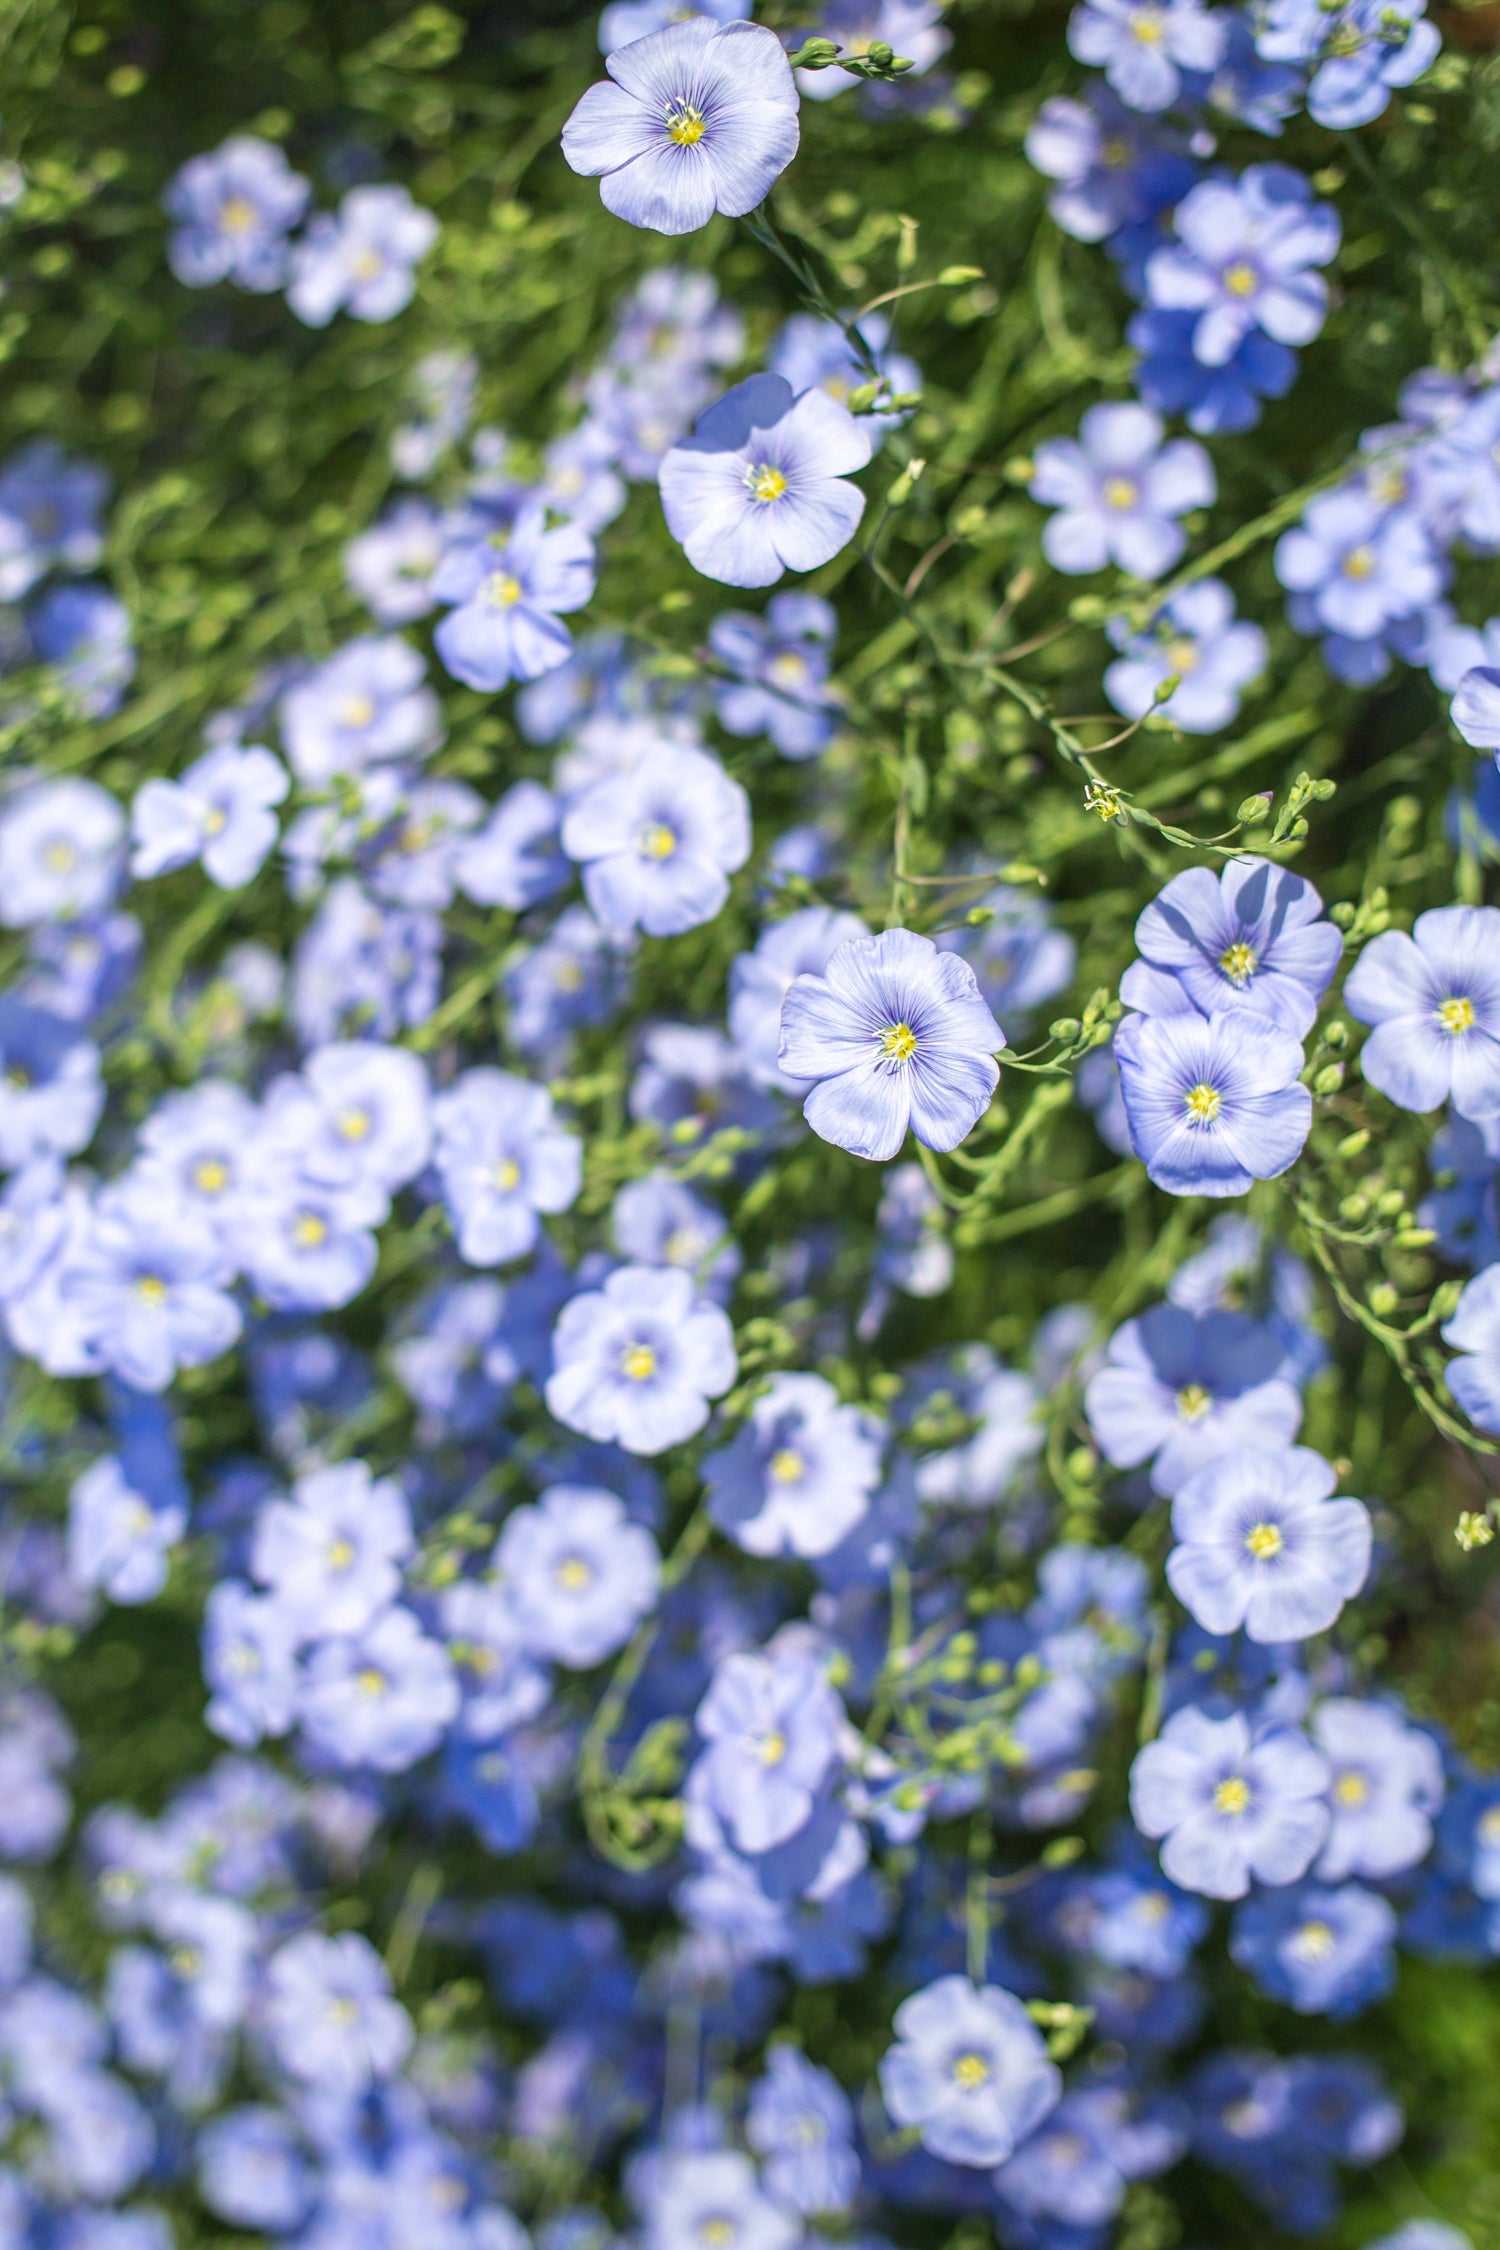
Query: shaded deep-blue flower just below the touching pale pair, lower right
(1321,1952)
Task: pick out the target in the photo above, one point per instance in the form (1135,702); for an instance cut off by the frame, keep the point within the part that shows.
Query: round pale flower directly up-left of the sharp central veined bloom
(660,843)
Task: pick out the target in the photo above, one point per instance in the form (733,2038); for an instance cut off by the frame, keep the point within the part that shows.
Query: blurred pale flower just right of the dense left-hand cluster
(503,1160)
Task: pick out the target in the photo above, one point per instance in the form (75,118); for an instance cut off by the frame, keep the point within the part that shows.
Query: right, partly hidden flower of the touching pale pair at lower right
(1386,1788)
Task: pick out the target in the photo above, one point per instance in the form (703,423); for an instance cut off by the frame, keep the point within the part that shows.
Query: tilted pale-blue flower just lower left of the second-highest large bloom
(507,595)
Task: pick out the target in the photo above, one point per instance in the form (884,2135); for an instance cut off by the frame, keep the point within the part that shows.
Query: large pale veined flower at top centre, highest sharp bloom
(701,118)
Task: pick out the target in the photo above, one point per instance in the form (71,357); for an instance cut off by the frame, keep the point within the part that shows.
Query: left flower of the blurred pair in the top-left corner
(235,210)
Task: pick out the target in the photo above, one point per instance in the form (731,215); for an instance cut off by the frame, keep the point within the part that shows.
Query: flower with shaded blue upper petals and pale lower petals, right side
(1184,1389)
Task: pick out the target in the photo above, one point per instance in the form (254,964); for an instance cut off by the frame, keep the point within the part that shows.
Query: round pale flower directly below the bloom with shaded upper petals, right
(1263,1547)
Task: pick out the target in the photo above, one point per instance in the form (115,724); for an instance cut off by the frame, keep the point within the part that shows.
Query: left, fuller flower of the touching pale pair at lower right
(1231,1803)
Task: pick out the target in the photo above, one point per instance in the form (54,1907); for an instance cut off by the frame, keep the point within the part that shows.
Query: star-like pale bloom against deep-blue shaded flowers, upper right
(1245,260)
